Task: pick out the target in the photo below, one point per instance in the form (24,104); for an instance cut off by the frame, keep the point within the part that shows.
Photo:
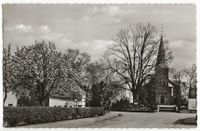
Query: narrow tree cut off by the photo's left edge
(7,71)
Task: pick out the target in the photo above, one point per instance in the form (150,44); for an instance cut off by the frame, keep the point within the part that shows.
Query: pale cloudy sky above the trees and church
(92,27)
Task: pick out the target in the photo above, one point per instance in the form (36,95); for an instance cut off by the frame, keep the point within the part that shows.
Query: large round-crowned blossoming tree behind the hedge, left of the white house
(37,68)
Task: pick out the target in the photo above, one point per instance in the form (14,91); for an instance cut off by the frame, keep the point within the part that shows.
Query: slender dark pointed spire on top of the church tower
(161,58)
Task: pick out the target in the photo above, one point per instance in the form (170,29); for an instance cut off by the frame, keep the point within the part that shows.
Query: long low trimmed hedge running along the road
(32,115)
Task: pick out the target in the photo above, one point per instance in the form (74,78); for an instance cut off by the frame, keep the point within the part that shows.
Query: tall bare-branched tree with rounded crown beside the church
(132,56)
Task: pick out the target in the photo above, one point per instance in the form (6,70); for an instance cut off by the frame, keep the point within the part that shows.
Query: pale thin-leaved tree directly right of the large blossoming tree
(74,68)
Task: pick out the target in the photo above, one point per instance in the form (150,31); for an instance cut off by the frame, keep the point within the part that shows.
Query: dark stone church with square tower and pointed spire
(160,90)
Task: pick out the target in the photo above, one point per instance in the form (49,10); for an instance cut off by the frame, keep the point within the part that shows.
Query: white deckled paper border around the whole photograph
(104,2)
